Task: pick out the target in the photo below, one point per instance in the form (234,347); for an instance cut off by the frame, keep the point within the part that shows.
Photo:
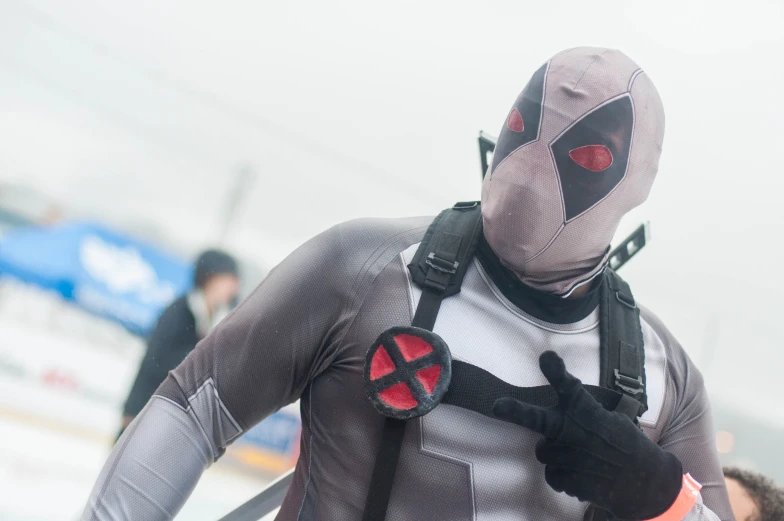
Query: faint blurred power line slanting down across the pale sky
(217,103)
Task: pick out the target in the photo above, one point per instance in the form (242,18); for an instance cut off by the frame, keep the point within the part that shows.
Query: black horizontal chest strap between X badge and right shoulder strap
(475,389)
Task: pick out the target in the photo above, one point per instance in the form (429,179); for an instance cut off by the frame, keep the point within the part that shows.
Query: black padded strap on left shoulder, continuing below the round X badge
(438,267)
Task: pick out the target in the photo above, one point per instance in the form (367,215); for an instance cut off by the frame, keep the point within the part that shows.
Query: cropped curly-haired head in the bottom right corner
(753,497)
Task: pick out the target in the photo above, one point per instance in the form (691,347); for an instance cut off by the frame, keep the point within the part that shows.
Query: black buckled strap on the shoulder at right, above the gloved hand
(622,353)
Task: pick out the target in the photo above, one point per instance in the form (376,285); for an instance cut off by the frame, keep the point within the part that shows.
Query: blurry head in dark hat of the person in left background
(217,276)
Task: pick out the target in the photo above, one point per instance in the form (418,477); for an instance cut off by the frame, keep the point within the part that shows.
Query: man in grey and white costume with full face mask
(578,150)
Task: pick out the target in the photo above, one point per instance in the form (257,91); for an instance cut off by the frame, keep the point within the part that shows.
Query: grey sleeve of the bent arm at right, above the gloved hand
(689,432)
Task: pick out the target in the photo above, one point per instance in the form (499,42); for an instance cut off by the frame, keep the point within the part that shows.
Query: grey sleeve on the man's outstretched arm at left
(258,359)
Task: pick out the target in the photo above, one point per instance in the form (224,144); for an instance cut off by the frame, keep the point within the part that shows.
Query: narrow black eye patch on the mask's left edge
(522,123)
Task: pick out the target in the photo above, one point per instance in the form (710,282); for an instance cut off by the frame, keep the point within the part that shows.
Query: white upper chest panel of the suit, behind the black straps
(483,328)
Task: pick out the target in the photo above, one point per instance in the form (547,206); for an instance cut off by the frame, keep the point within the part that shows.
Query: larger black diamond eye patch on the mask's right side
(591,157)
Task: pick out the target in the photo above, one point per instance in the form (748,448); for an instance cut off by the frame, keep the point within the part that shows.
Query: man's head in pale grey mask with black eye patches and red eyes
(578,150)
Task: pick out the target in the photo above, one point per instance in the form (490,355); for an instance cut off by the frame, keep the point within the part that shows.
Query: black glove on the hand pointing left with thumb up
(593,454)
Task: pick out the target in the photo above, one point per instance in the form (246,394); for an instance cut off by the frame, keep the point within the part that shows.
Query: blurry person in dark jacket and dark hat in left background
(182,325)
